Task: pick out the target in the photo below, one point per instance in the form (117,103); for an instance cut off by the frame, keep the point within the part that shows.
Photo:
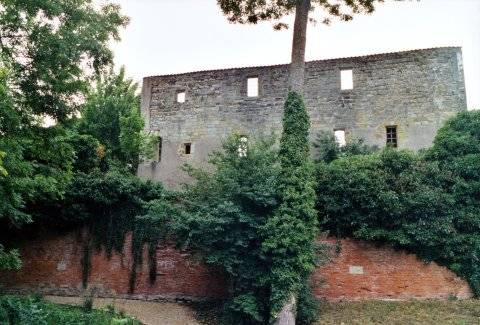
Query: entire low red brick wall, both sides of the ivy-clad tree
(359,271)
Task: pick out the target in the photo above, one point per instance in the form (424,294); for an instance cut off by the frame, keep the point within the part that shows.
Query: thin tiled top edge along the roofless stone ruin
(368,56)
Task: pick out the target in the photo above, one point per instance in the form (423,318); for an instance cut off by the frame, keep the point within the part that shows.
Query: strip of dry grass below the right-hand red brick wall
(458,312)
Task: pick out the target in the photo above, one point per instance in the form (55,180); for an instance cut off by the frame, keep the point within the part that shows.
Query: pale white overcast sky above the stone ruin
(173,36)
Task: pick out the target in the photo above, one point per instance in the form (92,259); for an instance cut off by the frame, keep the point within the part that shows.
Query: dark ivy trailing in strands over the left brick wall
(109,206)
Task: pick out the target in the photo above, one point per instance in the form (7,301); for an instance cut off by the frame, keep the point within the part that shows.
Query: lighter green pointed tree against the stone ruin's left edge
(111,115)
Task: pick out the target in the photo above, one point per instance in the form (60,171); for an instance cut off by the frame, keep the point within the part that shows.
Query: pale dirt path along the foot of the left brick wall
(149,313)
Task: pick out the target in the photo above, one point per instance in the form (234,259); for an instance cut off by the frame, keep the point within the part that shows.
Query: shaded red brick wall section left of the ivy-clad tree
(52,266)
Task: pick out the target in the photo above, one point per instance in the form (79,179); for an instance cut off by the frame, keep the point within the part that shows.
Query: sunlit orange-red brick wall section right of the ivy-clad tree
(363,271)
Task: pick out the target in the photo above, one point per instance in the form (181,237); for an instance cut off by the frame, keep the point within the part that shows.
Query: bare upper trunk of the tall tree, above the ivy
(297,67)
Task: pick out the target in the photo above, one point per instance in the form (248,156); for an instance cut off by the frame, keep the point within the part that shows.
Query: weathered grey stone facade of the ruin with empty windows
(416,91)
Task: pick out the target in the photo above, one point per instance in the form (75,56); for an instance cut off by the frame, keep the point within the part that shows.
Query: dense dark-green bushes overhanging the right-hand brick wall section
(427,203)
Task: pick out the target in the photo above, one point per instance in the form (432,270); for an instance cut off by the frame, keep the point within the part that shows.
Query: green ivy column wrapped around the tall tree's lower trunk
(291,231)
